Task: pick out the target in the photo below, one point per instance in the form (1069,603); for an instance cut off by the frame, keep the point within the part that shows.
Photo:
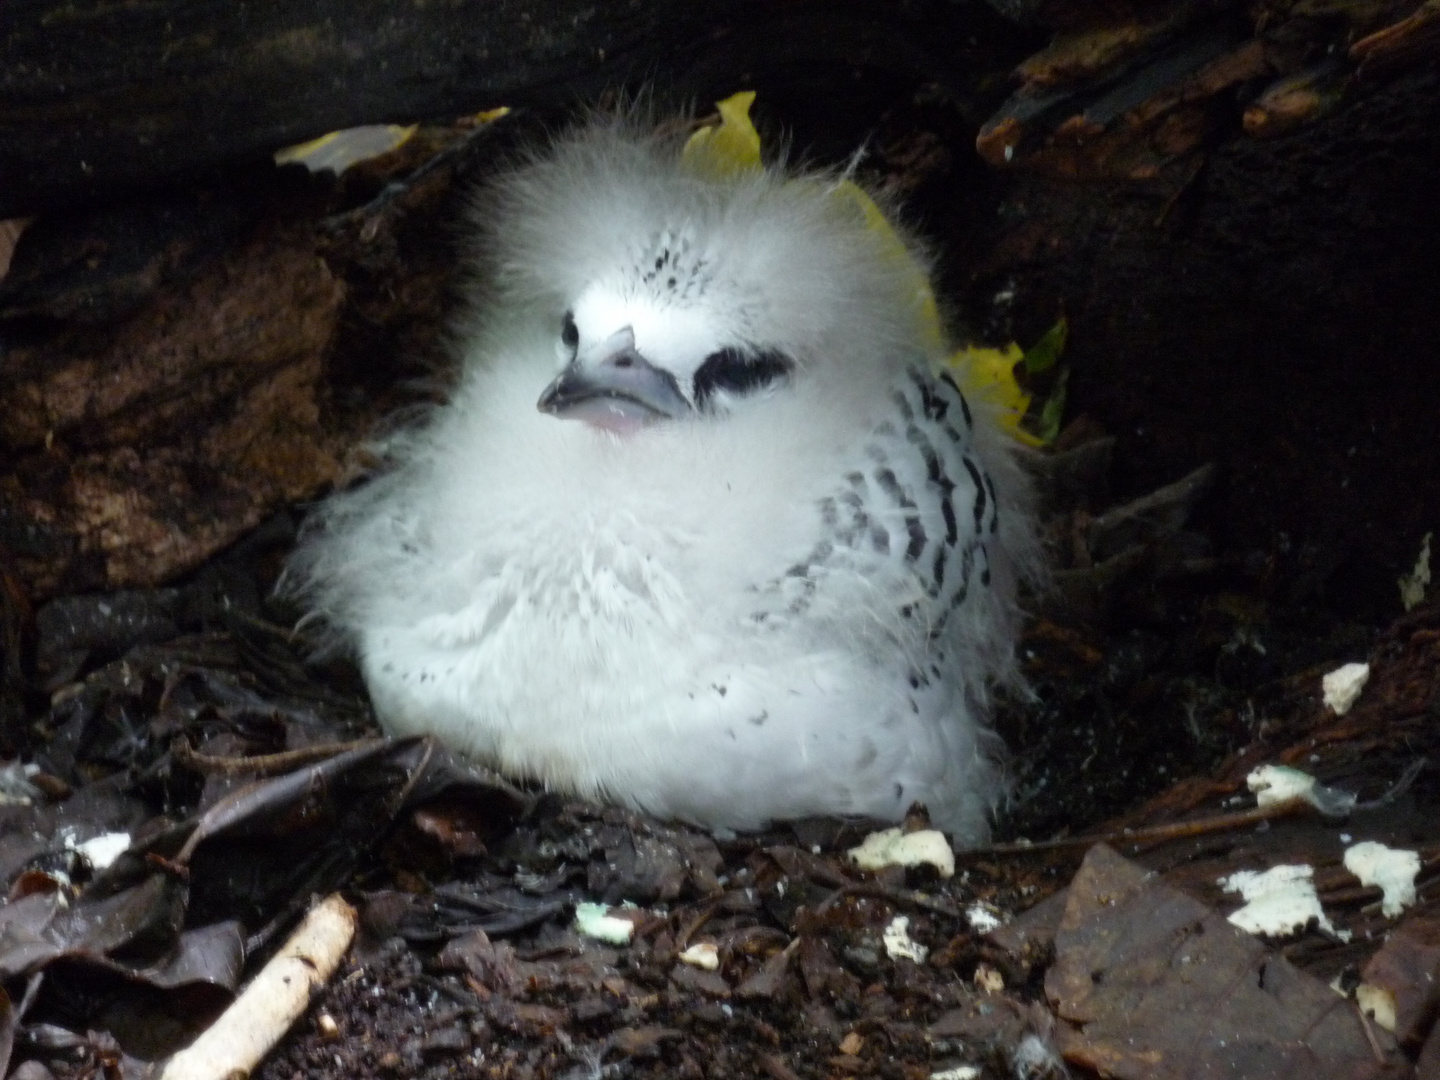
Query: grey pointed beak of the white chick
(614,387)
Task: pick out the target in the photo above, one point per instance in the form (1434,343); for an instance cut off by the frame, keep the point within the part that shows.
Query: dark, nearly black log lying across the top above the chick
(97,97)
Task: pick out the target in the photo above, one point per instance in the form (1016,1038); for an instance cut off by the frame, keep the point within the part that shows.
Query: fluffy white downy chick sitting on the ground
(701,531)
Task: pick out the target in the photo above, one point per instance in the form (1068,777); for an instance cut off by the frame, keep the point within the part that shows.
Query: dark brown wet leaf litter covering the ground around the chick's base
(248,783)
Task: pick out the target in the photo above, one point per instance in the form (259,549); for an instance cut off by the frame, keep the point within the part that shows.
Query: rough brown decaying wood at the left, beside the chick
(143,450)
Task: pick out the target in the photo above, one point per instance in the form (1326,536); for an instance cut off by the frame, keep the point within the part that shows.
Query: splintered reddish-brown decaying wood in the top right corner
(1138,93)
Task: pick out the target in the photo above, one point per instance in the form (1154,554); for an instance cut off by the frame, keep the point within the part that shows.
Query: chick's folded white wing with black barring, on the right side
(902,570)
